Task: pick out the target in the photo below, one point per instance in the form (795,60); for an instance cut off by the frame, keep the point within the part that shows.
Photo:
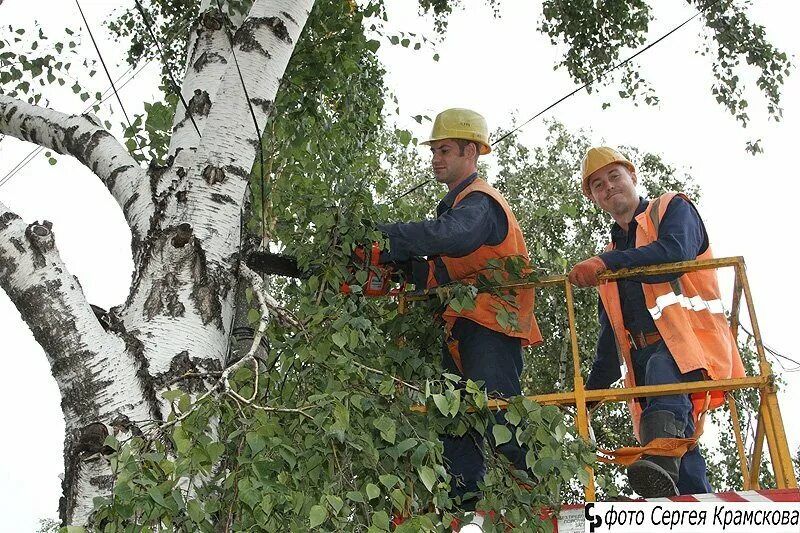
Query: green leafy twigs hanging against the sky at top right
(596,33)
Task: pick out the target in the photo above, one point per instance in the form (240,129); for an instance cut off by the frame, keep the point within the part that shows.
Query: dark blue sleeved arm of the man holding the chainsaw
(475,221)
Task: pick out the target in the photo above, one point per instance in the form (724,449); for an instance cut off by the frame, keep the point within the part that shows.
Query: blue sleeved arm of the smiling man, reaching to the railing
(681,237)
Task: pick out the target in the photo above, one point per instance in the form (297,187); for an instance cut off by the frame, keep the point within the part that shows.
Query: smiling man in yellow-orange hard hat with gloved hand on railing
(664,329)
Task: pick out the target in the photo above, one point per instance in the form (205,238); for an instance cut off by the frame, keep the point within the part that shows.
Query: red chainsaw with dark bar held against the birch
(379,275)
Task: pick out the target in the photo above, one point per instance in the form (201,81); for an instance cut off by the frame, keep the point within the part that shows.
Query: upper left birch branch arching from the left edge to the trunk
(84,138)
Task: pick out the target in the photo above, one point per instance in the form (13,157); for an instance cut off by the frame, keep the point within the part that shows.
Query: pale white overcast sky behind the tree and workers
(500,67)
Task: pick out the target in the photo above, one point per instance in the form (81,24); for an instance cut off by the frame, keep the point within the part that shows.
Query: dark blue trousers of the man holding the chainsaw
(496,360)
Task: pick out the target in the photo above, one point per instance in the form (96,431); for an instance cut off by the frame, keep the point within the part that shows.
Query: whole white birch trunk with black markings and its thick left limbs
(185,220)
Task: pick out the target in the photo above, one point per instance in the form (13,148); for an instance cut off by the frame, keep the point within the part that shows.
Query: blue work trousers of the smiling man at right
(654,365)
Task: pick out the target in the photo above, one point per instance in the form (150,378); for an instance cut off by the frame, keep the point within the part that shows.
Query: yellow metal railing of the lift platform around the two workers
(770,423)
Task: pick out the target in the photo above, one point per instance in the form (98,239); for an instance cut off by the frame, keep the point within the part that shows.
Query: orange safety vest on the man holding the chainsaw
(468,267)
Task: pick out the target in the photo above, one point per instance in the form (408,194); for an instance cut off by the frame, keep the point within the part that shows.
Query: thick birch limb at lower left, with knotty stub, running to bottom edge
(101,374)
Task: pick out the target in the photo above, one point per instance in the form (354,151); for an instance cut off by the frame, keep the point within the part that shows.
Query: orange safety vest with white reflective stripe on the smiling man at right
(688,313)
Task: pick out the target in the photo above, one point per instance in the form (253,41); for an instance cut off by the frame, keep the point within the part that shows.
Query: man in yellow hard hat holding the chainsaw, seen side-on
(474,225)
